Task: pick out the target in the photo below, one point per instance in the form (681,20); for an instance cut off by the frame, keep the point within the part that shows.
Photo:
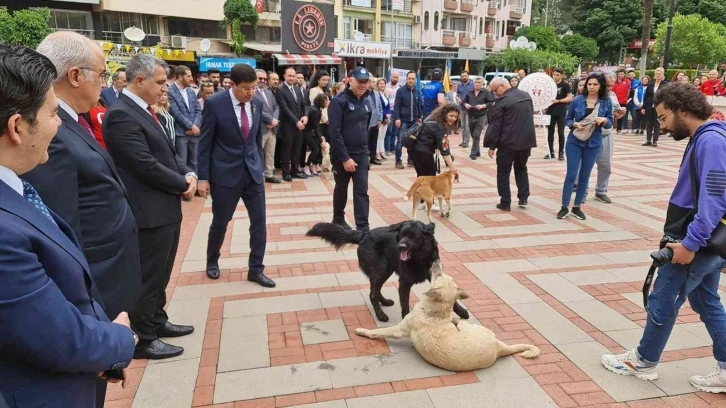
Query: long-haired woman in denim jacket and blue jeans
(588,113)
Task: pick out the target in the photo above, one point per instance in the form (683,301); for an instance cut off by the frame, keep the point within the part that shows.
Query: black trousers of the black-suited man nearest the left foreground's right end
(158,248)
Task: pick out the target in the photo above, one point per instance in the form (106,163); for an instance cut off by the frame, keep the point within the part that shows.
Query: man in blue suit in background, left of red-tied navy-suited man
(187,115)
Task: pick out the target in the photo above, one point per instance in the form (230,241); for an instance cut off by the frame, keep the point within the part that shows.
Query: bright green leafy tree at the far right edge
(695,40)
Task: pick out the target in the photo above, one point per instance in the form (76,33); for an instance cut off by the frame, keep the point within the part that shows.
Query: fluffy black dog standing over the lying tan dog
(407,248)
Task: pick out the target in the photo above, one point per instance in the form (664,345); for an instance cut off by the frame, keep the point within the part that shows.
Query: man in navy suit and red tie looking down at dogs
(230,163)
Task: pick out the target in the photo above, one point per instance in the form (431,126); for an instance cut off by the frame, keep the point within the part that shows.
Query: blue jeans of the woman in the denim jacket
(582,158)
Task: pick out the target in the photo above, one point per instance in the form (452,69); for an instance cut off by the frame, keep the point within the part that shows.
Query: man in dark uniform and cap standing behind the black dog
(349,114)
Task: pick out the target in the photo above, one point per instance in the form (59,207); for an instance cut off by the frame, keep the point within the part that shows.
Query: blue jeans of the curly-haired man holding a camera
(670,290)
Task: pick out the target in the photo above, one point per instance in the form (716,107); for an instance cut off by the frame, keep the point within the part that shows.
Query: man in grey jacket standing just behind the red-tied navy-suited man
(270,116)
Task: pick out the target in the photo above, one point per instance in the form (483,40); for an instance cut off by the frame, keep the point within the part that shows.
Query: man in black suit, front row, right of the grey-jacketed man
(293,118)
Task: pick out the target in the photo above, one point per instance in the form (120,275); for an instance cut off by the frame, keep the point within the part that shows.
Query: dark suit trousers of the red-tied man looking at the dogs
(224,203)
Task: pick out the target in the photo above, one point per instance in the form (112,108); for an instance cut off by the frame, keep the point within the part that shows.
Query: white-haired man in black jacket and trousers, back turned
(511,131)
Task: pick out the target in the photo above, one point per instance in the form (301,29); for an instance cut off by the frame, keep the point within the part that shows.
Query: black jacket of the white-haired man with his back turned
(512,124)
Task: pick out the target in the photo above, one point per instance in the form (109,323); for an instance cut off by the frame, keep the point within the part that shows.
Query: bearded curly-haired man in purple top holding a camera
(694,270)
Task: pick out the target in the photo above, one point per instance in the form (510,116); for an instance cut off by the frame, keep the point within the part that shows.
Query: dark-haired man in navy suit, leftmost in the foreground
(55,339)
